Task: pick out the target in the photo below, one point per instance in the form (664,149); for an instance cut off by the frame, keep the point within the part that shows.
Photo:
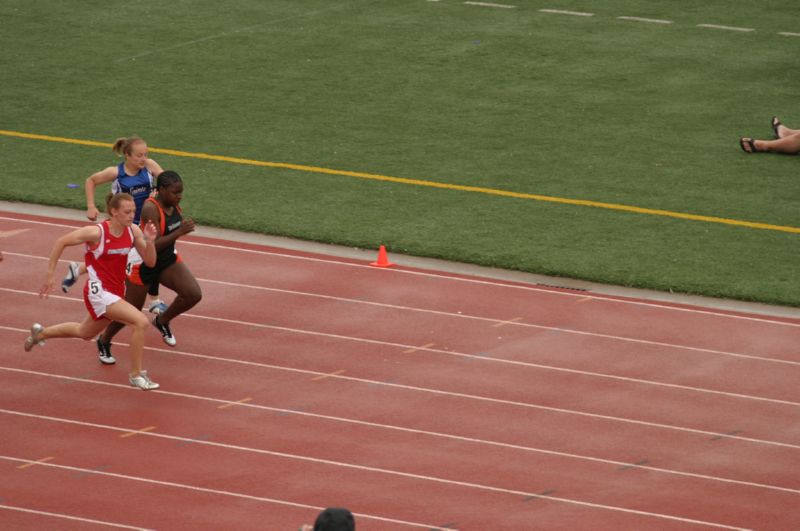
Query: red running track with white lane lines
(417,399)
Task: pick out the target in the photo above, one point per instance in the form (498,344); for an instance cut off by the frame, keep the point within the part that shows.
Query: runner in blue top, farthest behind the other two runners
(134,176)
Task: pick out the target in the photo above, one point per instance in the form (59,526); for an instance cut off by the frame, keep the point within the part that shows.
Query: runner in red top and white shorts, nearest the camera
(107,247)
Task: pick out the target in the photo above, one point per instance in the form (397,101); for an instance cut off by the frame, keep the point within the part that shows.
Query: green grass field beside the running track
(594,108)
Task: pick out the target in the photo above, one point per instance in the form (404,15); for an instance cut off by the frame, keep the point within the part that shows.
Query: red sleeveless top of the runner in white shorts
(106,261)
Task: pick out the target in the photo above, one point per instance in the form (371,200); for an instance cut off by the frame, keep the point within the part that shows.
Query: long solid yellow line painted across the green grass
(431,184)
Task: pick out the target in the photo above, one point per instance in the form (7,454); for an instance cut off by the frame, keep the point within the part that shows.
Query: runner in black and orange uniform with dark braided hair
(164,212)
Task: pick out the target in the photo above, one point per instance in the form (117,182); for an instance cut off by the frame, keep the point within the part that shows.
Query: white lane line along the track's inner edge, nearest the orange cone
(438,276)
